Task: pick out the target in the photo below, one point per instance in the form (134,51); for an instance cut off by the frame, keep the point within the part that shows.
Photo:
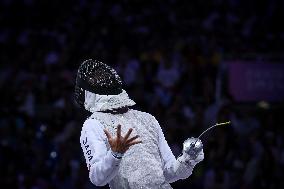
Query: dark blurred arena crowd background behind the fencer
(189,63)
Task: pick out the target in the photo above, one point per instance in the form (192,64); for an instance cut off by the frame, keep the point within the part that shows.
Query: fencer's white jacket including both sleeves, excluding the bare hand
(104,168)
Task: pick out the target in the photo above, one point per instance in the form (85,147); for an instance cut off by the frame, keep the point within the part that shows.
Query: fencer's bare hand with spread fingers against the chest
(119,143)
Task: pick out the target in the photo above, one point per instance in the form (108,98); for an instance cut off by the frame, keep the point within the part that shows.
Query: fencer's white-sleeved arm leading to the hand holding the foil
(174,169)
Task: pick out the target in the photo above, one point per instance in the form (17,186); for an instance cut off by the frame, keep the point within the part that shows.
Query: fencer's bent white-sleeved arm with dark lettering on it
(102,165)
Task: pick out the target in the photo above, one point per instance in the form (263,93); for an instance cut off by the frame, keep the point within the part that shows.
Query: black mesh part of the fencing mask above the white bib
(98,78)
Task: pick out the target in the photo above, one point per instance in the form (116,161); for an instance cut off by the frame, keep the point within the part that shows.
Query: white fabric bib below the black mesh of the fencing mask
(95,102)
